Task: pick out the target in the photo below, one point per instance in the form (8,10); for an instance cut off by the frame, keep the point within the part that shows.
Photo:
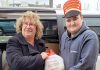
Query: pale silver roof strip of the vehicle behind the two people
(11,12)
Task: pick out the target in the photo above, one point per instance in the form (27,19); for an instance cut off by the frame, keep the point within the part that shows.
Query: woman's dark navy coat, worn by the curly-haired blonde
(22,56)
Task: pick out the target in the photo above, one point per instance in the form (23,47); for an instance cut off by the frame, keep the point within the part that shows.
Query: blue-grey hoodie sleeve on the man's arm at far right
(89,53)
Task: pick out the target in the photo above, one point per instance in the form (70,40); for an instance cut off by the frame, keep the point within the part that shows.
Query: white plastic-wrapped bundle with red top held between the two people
(54,61)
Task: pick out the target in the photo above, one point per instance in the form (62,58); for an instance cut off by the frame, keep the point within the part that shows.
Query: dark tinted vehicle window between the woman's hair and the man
(50,32)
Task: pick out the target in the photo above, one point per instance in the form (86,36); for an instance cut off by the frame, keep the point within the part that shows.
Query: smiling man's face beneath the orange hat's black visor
(74,24)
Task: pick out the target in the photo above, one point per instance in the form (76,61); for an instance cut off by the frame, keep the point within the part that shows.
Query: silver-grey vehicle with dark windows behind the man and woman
(53,21)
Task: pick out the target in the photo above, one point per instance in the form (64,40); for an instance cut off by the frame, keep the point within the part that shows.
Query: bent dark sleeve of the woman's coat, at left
(17,61)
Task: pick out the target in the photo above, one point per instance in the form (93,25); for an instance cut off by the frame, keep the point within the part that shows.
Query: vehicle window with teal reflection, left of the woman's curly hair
(7,26)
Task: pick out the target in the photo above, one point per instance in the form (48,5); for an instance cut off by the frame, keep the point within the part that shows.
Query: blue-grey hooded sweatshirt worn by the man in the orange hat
(81,51)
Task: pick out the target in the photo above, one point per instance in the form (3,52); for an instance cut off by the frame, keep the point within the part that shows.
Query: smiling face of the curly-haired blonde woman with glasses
(28,28)
